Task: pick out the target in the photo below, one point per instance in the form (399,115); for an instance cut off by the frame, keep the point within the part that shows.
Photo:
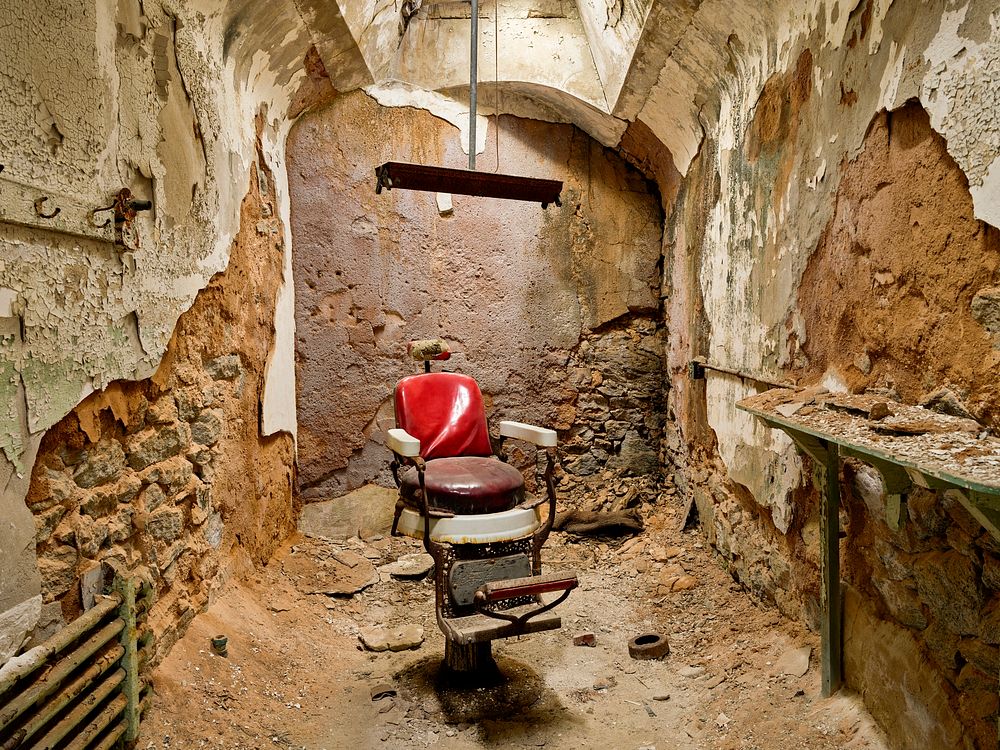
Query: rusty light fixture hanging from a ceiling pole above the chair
(394,175)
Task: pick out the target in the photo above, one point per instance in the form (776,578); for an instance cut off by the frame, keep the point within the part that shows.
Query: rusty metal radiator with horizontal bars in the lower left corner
(82,689)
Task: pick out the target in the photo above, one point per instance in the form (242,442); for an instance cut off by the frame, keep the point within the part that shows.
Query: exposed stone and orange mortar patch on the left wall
(171,474)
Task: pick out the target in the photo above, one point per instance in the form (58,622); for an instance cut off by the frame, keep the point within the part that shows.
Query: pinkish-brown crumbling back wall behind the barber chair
(555,312)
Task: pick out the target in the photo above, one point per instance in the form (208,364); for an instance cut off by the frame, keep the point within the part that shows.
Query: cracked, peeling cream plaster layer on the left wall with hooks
(159,97)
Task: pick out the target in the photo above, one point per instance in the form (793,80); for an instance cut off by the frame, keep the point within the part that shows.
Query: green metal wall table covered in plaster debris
(909,446)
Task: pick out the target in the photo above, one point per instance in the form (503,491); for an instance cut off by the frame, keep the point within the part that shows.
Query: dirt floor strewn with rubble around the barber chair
(296,675)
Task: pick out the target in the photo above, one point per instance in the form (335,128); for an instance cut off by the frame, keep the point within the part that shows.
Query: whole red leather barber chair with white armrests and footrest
(470,509)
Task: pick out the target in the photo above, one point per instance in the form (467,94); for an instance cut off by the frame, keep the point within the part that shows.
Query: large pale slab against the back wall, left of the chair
(365,512)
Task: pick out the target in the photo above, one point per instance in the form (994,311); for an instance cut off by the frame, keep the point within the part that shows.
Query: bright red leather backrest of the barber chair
(444,411)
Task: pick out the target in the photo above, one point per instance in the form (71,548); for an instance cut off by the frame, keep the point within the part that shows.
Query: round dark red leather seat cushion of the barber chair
(467,484)
